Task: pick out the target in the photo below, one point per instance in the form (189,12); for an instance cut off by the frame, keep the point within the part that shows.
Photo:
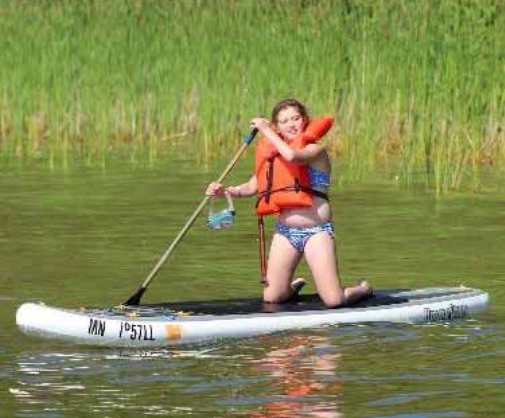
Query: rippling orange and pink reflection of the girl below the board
(305,377)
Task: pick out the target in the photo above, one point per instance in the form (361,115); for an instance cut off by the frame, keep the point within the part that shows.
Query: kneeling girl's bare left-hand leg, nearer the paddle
(282,262)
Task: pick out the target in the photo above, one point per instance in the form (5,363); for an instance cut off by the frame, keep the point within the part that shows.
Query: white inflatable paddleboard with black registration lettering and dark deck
(191,322)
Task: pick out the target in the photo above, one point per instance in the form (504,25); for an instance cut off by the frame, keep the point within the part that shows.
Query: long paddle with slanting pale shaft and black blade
(135,298)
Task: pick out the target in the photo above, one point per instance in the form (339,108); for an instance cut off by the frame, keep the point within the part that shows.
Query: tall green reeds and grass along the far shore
(414,85)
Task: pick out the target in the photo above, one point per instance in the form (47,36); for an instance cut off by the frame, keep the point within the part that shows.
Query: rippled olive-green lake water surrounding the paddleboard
(89,237)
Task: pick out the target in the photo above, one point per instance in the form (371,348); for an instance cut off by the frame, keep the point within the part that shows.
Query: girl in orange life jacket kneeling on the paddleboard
(291,180)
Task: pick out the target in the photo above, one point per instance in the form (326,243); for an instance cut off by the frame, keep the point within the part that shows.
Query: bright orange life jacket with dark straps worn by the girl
(285,185)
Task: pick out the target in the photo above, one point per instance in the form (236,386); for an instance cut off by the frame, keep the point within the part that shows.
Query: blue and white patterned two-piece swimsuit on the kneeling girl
(298,237)
